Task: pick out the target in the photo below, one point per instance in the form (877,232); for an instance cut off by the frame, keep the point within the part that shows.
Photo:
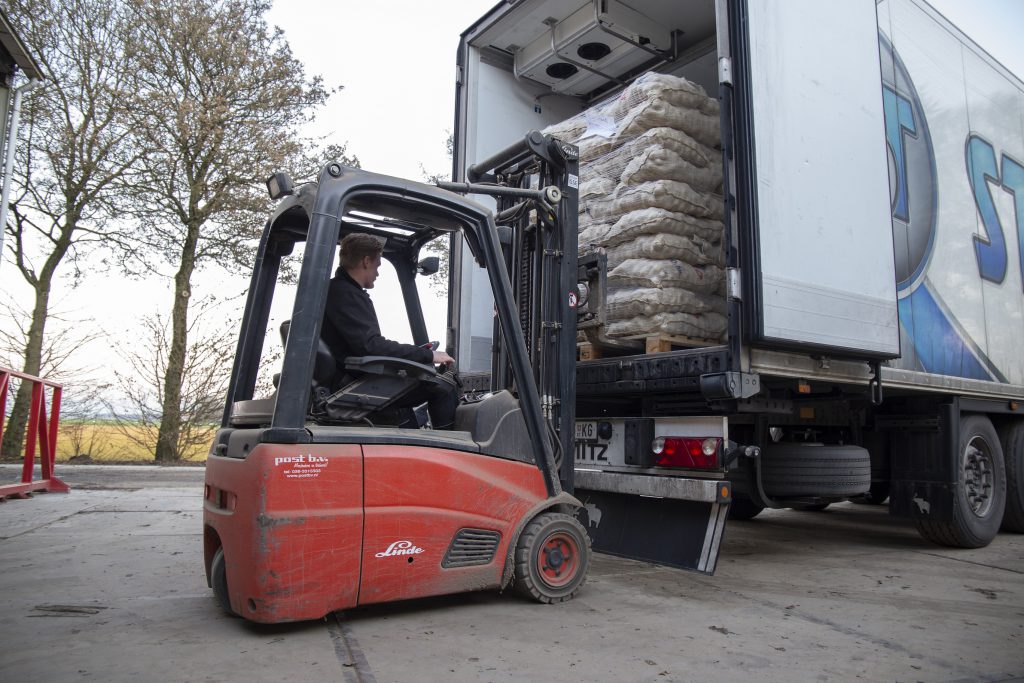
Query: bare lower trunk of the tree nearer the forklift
(169,438)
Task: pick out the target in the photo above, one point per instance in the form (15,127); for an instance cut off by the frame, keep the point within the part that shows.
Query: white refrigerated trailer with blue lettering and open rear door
(872,194)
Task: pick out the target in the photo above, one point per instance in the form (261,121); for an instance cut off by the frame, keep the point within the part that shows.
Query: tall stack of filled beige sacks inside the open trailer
(650,196)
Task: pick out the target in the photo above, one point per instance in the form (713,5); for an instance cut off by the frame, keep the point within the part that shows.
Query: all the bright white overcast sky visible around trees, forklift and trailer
(396,63)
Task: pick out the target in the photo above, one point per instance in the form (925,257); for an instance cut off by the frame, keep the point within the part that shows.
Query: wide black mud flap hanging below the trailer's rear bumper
(682,534)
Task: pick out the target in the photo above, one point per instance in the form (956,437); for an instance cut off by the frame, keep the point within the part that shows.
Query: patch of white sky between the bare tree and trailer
(396,62)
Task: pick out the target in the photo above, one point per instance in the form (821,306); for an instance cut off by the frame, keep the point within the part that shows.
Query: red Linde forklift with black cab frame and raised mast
(316,501)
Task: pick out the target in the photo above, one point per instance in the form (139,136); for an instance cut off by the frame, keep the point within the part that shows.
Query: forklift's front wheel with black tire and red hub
(552,559)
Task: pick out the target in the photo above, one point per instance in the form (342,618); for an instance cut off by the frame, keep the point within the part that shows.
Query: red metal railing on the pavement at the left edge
(41,432)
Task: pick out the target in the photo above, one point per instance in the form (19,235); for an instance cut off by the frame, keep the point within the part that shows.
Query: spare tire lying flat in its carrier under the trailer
(813,469)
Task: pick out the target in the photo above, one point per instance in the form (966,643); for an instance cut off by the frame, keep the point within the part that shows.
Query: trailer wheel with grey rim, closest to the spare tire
(982,490)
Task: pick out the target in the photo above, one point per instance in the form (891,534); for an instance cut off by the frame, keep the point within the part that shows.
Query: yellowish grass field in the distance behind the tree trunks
(108,442)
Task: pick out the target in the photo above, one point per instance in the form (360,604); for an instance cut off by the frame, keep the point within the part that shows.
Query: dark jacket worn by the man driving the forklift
(351,327)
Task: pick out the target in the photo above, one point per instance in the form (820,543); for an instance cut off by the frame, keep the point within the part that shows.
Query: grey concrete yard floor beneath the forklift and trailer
(107,584)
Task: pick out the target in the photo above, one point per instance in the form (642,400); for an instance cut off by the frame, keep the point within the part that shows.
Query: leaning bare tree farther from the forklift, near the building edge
(77,149)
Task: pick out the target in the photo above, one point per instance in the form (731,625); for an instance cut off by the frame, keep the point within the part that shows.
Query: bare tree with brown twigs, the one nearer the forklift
(220,101)
